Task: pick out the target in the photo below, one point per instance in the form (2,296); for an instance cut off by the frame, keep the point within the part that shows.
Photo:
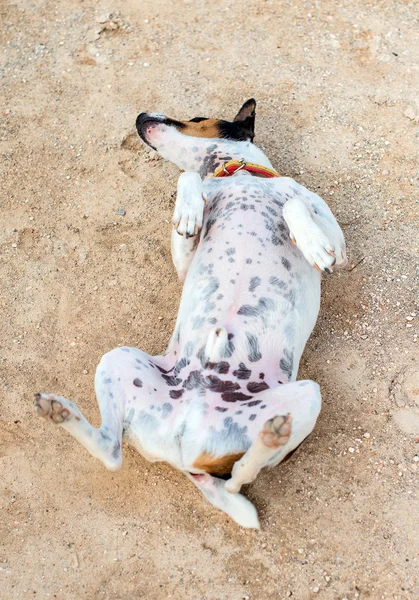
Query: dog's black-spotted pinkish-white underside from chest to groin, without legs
(249,304)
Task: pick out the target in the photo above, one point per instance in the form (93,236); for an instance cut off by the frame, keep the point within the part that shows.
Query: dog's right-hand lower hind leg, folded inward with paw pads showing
(274,435)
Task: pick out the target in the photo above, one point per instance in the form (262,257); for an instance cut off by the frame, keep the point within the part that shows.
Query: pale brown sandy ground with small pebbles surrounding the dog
(337,89)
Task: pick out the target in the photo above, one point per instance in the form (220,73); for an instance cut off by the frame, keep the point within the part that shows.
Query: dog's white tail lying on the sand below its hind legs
(239,508)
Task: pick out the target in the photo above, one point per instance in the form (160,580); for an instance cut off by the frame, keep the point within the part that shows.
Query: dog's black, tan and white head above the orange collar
(202,144)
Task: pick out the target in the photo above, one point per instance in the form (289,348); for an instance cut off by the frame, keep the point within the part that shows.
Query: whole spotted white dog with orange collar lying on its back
(223,401)
